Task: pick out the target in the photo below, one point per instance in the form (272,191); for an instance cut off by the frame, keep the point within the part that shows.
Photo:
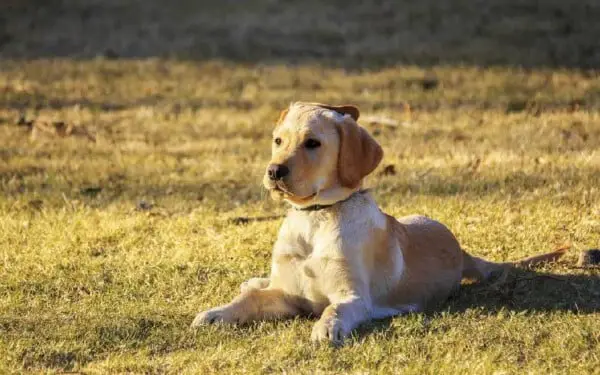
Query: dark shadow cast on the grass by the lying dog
(520,290)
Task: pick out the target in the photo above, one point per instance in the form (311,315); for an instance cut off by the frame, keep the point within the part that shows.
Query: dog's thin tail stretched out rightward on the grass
(478,269)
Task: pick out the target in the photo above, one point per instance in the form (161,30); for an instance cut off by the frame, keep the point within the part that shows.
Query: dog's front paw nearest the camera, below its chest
(340,318)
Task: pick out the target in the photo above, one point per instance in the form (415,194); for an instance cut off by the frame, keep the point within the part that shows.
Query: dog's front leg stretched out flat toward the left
(251,305)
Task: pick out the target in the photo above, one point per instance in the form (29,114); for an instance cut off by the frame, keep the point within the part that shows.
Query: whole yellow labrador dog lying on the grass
(338,256)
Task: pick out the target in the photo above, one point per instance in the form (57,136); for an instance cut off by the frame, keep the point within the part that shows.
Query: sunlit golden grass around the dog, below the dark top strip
(92,280)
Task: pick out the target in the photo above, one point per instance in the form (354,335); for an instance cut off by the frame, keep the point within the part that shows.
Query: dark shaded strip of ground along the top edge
(349,34)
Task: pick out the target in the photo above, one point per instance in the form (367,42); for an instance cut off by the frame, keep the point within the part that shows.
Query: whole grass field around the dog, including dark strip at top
(133,138)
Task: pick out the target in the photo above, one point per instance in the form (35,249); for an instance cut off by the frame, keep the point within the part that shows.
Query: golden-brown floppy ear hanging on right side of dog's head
(359,153)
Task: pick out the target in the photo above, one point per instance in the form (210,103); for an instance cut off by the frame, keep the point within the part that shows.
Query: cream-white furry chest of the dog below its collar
(316,254)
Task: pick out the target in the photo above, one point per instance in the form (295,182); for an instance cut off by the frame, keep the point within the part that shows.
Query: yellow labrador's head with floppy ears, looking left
(319,155)
